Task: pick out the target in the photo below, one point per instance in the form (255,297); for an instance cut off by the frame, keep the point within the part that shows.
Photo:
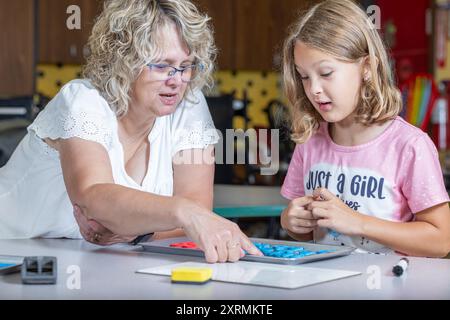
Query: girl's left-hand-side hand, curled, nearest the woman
(296,218)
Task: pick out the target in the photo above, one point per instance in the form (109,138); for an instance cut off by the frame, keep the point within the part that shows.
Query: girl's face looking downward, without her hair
(331,85)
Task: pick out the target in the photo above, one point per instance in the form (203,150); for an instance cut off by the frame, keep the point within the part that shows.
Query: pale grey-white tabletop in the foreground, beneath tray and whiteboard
(109,273)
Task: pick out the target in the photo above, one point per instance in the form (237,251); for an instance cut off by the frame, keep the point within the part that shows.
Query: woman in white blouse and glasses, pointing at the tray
(115,145)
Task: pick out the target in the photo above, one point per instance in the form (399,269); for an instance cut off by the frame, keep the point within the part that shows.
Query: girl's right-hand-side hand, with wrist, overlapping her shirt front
(335,215)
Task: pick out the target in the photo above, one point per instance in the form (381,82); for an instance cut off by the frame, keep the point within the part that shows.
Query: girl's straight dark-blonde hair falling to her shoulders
(342,29)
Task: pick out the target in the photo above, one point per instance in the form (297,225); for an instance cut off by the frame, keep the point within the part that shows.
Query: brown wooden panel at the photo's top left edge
(17,48)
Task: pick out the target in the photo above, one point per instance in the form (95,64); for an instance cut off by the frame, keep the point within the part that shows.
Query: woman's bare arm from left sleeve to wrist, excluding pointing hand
(90,185)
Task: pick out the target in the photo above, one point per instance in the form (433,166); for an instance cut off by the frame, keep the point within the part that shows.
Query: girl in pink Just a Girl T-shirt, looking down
(360,175)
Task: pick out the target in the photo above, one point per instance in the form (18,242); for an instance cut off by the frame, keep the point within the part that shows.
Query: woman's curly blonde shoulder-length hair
(126,36)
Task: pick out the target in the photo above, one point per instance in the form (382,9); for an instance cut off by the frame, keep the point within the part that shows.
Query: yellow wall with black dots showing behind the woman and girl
(261,88)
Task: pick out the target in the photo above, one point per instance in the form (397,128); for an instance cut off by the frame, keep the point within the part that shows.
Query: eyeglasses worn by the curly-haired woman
(164,72)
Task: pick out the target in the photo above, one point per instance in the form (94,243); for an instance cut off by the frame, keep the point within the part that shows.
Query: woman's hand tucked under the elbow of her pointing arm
(94,232)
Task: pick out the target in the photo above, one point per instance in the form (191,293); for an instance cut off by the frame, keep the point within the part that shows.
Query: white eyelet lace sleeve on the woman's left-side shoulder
(77,111)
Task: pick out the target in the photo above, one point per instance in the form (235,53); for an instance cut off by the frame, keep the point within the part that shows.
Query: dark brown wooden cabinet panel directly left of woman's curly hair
(57,42)
